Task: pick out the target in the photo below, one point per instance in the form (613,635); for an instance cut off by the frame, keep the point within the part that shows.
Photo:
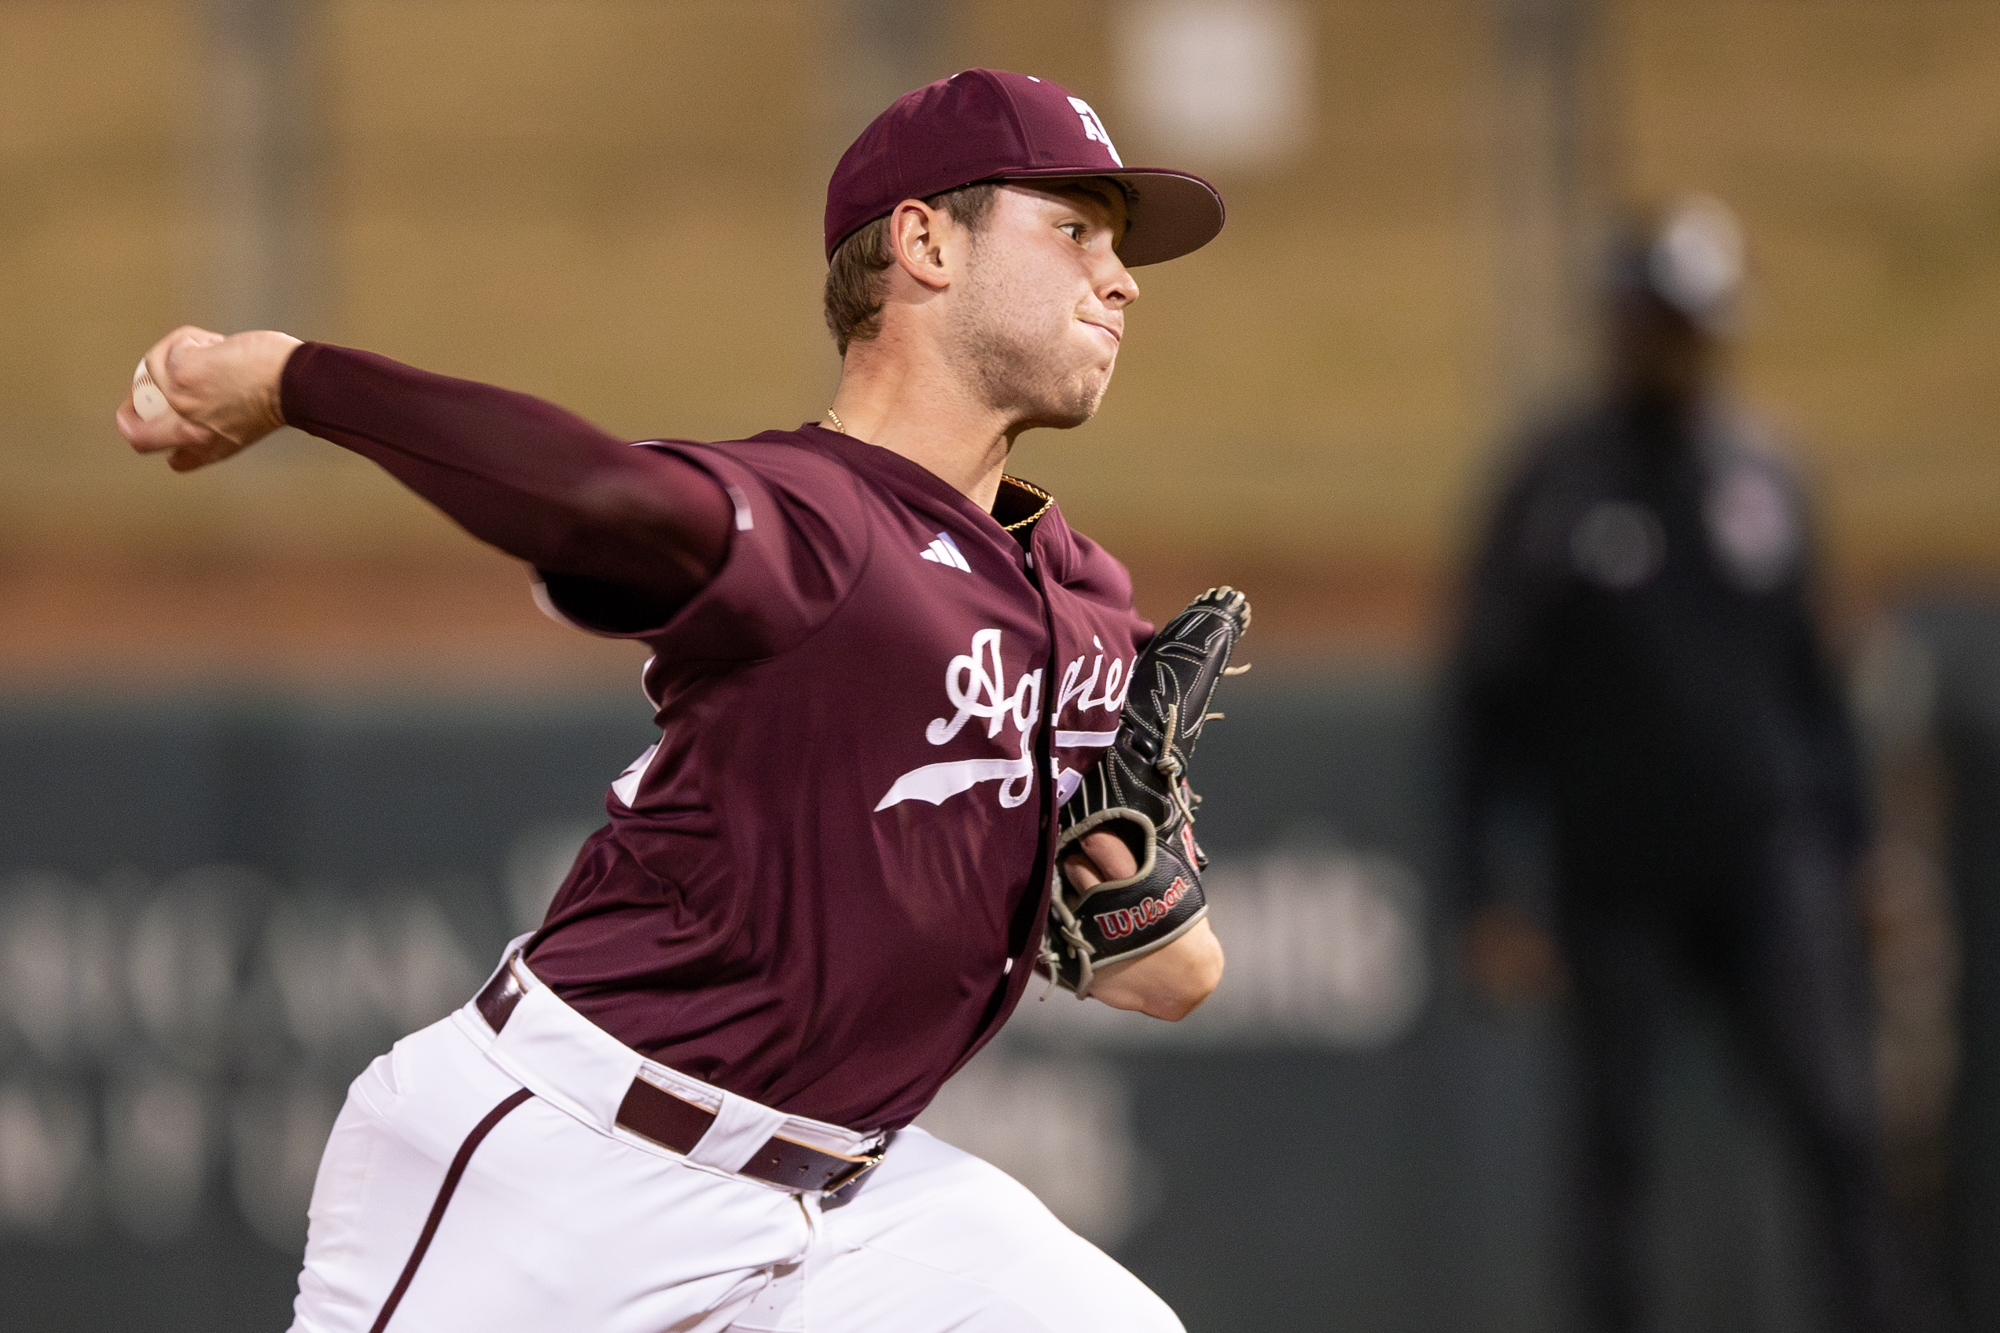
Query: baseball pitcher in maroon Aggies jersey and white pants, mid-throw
(915,750)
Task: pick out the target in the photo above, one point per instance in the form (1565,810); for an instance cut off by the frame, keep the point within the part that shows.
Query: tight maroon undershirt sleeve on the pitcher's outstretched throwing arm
(523,475)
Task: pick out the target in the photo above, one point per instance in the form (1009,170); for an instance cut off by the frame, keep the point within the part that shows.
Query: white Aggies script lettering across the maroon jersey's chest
(975,684)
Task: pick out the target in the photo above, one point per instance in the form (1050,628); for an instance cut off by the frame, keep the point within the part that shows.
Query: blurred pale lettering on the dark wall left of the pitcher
(157,1038)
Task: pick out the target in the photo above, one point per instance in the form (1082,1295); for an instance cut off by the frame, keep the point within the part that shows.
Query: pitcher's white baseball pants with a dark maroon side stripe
(561,1222)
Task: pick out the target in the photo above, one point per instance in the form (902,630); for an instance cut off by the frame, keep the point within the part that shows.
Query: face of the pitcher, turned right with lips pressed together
(1043,303)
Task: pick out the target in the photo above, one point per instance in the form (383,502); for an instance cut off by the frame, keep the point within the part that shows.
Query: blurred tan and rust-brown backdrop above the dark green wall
(615,205)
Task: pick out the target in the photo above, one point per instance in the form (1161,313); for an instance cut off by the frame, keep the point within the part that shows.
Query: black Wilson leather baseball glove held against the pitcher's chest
(1141,794)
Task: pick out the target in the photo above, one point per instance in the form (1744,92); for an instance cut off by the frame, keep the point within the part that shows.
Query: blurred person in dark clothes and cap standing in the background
(1641,678)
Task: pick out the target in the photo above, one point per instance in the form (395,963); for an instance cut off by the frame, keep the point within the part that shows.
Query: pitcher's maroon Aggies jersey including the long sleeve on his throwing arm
(825,886)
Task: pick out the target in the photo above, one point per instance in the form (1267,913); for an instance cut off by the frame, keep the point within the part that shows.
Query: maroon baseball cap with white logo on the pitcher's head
(991,125)
